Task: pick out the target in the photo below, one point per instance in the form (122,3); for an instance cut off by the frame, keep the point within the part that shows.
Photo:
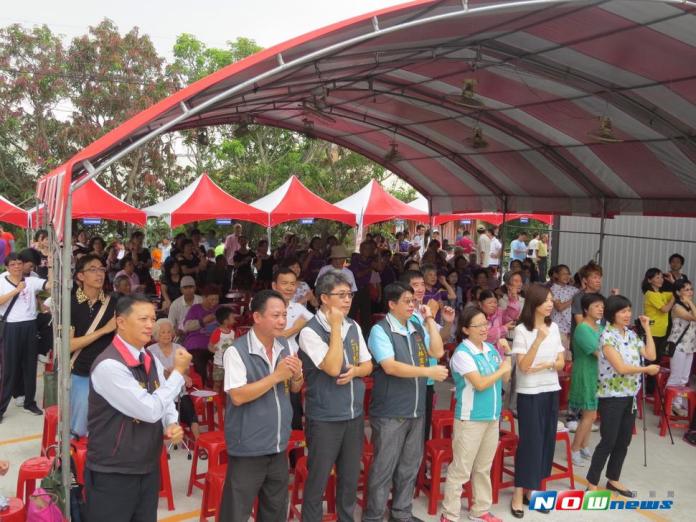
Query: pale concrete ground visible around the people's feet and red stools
(670,475)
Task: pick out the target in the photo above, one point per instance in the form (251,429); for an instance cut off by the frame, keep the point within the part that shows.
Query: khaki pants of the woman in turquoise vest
(474,445)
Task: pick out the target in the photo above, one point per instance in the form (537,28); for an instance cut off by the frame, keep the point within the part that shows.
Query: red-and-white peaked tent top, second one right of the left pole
(204,199)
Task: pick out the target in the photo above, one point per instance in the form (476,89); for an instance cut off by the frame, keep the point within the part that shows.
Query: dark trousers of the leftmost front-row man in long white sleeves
(116,497)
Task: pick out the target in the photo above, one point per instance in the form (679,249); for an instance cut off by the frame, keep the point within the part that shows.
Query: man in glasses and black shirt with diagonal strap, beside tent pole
(92,326)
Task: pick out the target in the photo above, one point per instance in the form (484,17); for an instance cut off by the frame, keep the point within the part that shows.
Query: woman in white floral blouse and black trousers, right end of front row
(619,382)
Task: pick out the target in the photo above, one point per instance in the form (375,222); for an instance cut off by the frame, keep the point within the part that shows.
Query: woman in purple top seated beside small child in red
(199,324)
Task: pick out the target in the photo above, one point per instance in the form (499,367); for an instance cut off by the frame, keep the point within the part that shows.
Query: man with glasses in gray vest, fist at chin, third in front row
(334,358)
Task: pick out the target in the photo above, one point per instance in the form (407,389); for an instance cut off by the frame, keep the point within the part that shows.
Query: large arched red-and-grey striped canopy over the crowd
(478,104)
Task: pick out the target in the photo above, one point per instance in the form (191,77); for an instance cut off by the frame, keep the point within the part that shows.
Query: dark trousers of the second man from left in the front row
(265,476)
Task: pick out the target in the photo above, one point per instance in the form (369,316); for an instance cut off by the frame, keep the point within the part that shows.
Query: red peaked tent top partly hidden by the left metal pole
(92,200)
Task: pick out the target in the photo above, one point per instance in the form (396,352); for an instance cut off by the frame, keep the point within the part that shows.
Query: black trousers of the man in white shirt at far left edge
(18,361)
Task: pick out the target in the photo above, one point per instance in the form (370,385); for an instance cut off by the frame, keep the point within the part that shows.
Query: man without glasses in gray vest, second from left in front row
(260,373)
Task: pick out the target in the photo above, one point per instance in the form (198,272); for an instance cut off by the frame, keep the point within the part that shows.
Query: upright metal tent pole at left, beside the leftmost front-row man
(64,357)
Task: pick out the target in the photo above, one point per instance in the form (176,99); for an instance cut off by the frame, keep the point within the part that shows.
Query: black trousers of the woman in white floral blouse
(616,430)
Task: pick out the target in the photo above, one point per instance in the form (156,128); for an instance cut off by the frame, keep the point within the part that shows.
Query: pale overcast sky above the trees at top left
(212,21)
